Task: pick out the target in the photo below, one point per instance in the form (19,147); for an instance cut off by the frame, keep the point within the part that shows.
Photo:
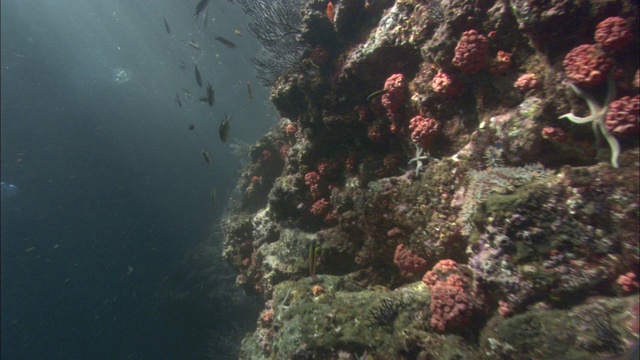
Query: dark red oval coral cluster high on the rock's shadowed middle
(471,52)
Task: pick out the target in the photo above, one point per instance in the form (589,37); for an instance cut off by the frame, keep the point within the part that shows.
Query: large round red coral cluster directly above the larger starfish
(586,65)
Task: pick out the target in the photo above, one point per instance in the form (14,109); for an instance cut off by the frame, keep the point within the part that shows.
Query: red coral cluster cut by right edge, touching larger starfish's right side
(622,117)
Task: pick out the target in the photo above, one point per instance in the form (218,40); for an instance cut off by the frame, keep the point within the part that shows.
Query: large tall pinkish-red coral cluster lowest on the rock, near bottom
(451,298)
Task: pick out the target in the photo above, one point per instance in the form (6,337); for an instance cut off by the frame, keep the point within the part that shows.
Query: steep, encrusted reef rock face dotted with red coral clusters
(541,225)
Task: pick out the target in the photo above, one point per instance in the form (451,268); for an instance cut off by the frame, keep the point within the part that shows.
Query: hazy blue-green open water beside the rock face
(102,246)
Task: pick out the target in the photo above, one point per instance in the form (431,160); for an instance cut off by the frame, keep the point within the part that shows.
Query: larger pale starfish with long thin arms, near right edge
(597,117)
